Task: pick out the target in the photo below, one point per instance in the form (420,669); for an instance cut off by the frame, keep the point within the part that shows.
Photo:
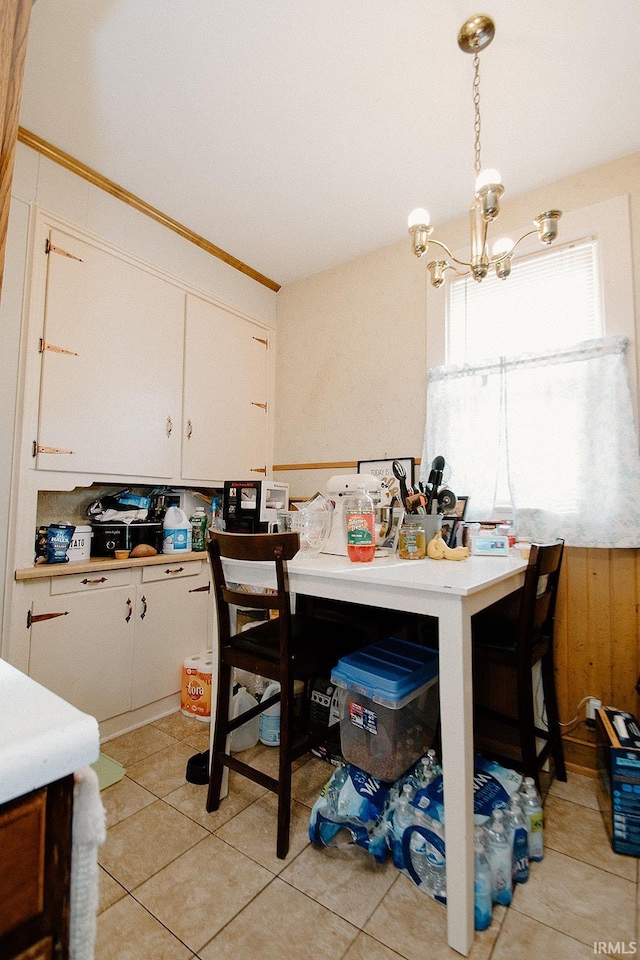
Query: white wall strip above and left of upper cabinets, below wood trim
(39,180)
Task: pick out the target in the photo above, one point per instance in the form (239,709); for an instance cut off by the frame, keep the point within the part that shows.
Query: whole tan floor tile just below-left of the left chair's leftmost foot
(145,842)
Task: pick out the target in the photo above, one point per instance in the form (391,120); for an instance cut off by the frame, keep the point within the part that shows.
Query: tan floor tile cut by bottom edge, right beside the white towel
(127,932)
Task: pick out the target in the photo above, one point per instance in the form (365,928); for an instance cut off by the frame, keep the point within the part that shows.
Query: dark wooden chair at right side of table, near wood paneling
(514,635)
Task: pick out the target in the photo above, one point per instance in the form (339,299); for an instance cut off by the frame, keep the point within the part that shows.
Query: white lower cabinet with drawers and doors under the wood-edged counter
(114,640)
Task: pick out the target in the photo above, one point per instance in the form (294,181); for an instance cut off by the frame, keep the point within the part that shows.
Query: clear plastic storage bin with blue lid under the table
(388,702)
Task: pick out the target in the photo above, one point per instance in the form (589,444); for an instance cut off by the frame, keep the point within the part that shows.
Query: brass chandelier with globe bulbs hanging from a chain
(476,34)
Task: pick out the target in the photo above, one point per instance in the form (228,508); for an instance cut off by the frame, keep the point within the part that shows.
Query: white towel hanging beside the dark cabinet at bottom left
(88,833)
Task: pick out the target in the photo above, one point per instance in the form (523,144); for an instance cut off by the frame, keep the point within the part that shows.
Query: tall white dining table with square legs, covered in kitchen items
(451,591)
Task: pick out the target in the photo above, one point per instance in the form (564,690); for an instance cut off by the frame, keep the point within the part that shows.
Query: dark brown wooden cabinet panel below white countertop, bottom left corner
(22,841)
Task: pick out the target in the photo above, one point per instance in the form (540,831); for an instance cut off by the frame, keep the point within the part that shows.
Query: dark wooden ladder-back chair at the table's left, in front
(282,648)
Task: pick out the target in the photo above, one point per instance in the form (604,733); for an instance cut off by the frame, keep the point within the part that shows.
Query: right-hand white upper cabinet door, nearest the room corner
(225,425)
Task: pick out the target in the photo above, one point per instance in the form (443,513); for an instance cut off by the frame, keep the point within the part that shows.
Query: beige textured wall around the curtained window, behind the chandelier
(352,354)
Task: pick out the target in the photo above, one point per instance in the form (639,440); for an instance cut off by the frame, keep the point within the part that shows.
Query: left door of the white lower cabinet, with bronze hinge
(82,648)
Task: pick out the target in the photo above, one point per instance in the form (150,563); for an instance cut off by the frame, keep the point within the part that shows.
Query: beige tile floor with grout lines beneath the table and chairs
(177,883)
